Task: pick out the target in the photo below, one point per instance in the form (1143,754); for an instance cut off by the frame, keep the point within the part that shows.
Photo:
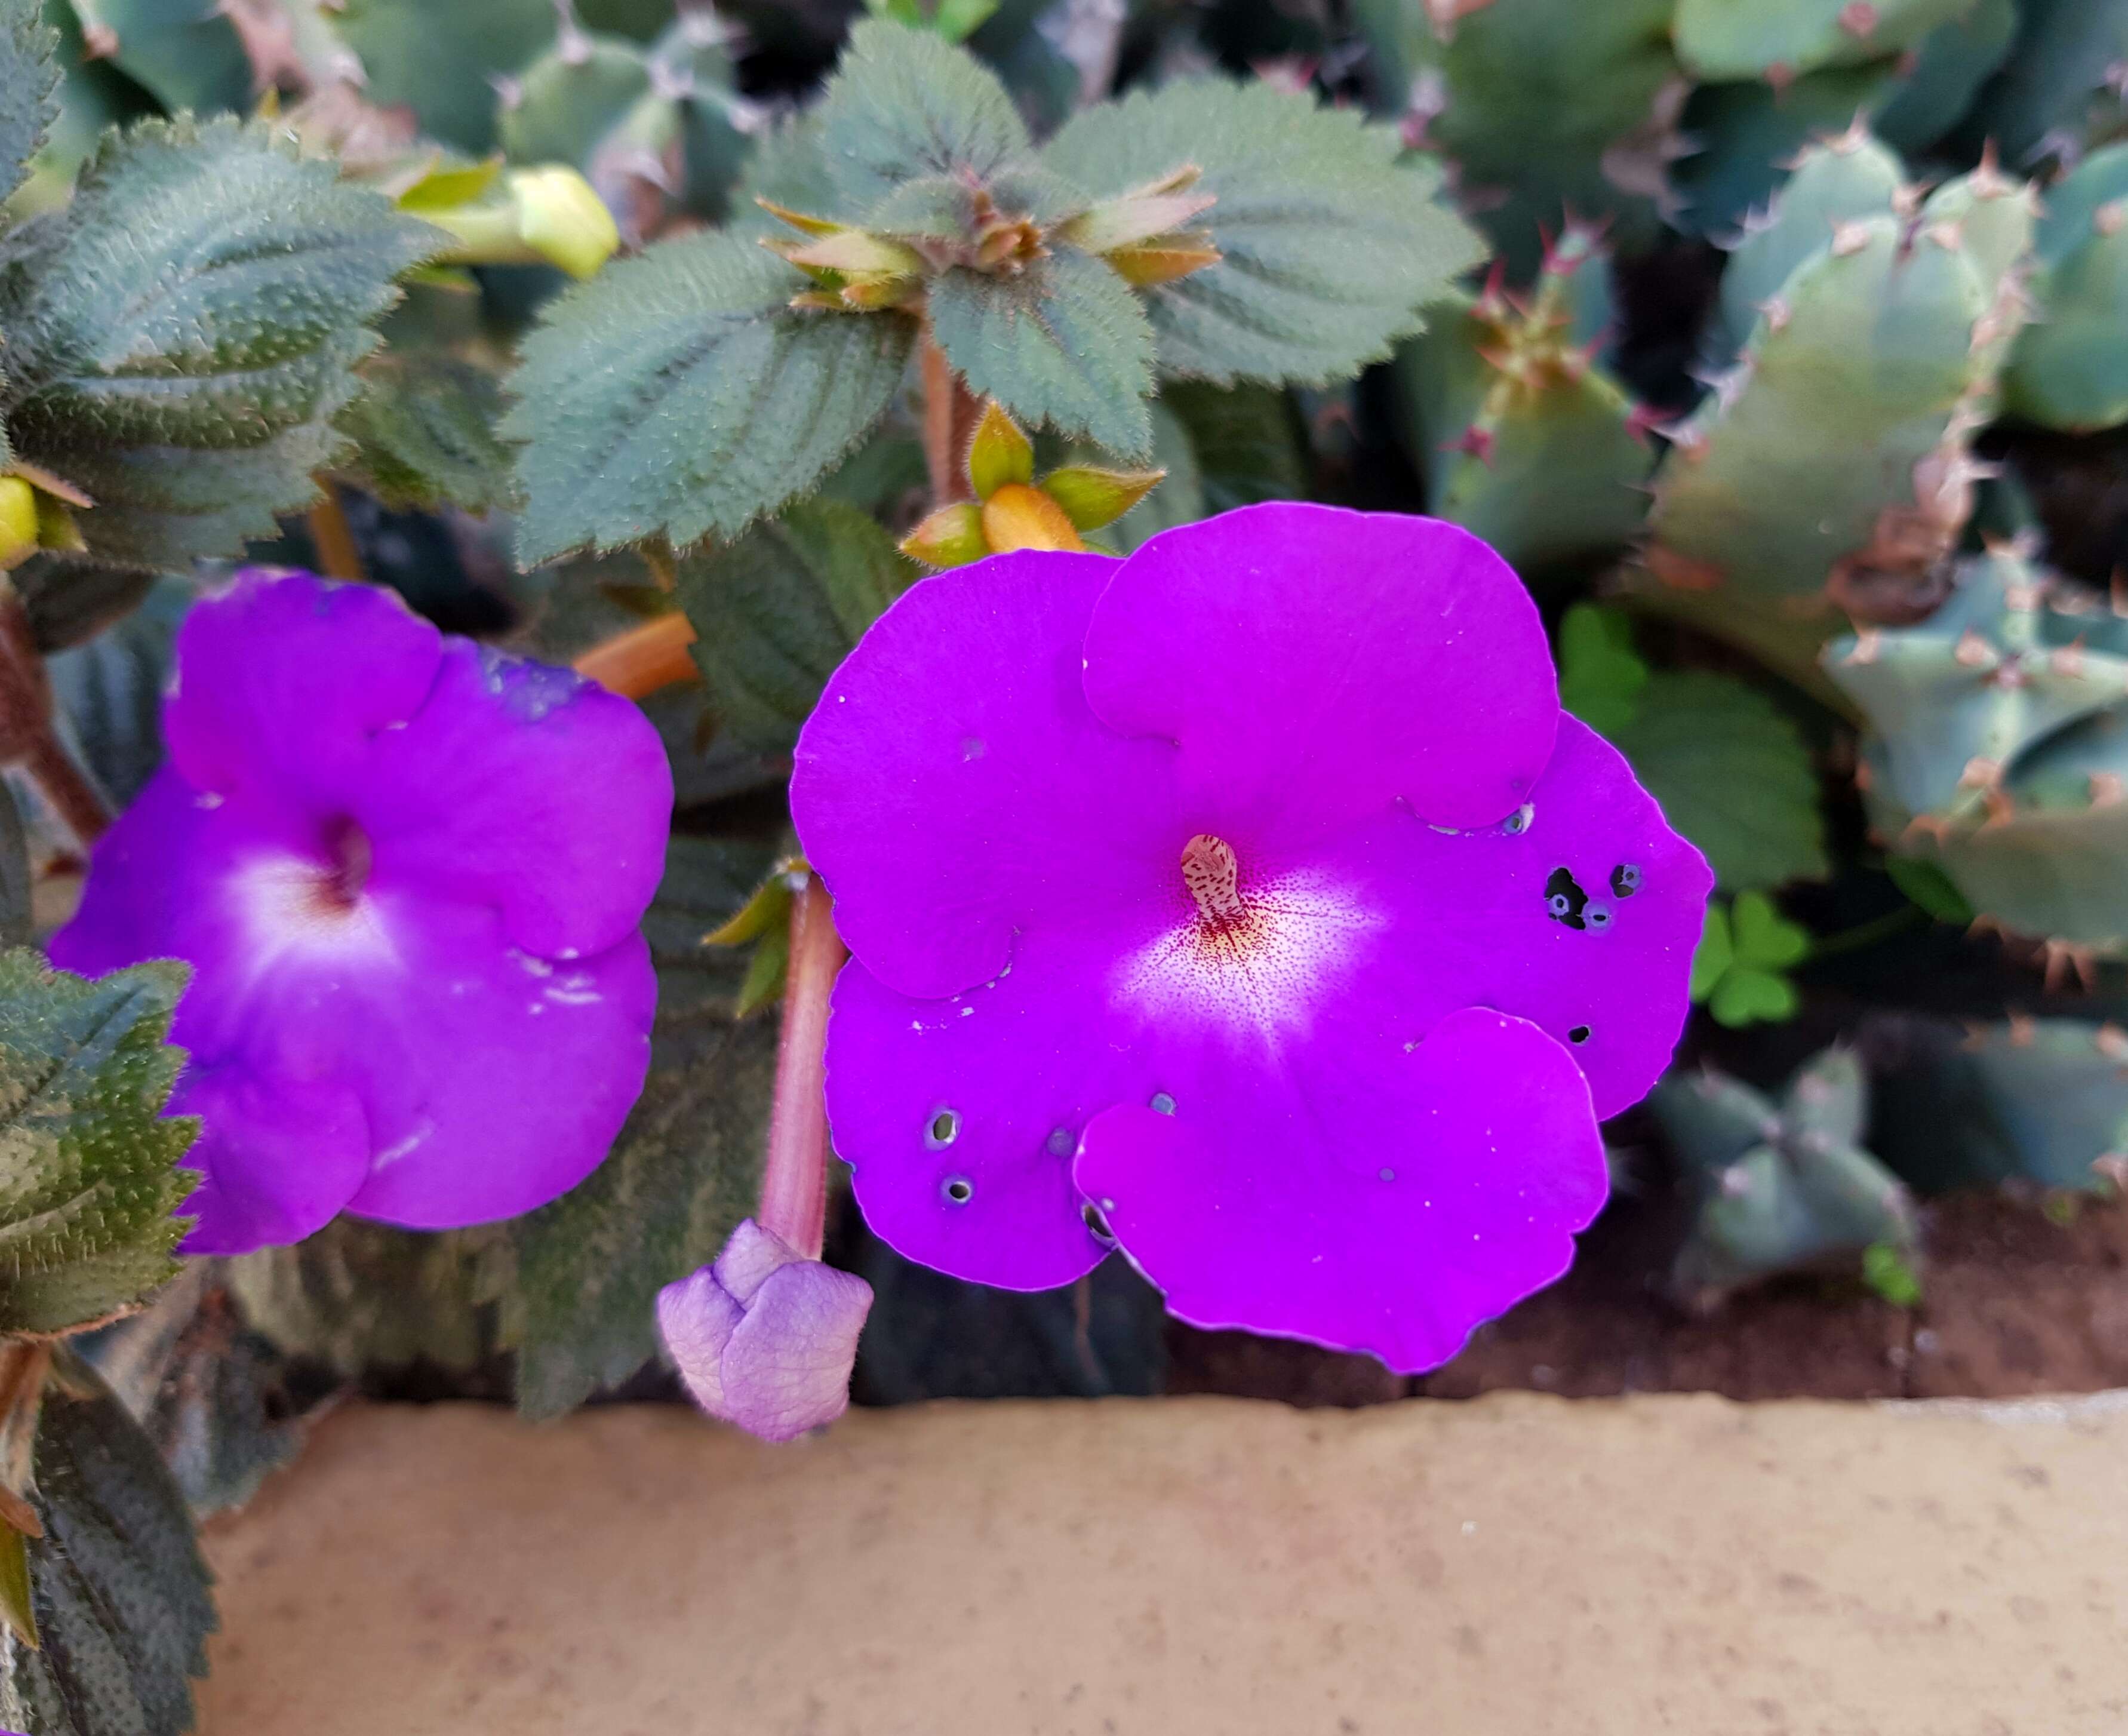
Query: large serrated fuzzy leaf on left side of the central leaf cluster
(678,393)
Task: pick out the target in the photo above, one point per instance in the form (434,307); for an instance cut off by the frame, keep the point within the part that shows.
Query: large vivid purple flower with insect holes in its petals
(1248,905)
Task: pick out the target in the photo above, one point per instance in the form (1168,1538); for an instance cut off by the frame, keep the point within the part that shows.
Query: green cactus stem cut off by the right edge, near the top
(2072,367)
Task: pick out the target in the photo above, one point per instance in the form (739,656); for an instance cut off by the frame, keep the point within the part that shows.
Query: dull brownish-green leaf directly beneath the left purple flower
(367,1295)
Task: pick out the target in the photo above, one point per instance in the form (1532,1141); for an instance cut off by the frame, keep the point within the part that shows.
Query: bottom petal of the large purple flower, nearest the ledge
(1359,1205)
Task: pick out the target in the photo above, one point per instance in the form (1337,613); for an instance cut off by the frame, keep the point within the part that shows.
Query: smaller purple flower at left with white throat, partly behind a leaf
(408,873)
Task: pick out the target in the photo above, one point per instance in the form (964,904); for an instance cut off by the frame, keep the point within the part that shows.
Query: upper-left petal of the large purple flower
(954,786)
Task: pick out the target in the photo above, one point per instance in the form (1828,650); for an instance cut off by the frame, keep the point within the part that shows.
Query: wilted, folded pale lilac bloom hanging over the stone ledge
(767,1337)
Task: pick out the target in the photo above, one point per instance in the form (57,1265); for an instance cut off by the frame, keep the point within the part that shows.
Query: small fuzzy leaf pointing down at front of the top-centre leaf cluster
(1065,341)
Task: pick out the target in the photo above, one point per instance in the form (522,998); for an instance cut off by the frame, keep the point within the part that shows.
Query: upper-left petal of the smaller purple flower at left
(284,684)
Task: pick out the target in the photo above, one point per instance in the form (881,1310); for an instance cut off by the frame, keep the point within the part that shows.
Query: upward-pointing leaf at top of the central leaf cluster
(905,105)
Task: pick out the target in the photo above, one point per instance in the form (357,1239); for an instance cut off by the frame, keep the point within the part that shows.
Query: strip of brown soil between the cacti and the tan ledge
(2021,1297)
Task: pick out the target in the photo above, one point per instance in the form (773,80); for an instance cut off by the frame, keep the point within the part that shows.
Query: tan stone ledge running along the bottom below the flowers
(1510,1567)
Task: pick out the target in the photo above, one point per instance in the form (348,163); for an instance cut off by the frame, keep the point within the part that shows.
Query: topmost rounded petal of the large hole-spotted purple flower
(1318,665)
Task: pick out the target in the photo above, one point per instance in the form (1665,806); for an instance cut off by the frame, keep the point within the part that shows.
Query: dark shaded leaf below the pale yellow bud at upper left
(427,437)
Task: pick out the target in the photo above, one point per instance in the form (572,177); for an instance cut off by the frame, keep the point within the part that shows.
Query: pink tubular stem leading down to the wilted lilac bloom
(795,1182)
